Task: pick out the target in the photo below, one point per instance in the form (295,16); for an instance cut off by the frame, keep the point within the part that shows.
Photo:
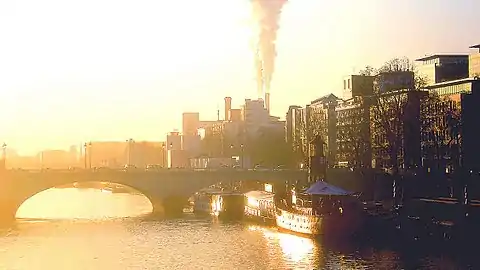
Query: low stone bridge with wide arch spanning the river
(166,189)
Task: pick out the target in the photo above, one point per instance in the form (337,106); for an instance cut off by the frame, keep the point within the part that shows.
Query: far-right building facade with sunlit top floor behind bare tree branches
(443,133)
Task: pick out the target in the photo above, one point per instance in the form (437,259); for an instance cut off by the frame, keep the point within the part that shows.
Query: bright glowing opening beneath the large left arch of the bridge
(91,204)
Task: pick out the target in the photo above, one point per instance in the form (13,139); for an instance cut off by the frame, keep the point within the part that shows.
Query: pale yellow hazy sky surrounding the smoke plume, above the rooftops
(73,70)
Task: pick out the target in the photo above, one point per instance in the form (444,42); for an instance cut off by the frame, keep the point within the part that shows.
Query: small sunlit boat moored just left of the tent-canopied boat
(260,206)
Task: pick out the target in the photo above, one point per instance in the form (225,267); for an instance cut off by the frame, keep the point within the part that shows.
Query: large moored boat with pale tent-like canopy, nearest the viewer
(323,209)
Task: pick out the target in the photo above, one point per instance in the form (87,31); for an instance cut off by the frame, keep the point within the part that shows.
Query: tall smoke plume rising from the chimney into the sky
(267,14)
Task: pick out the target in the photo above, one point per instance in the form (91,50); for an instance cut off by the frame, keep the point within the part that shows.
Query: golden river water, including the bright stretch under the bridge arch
(91,229)
